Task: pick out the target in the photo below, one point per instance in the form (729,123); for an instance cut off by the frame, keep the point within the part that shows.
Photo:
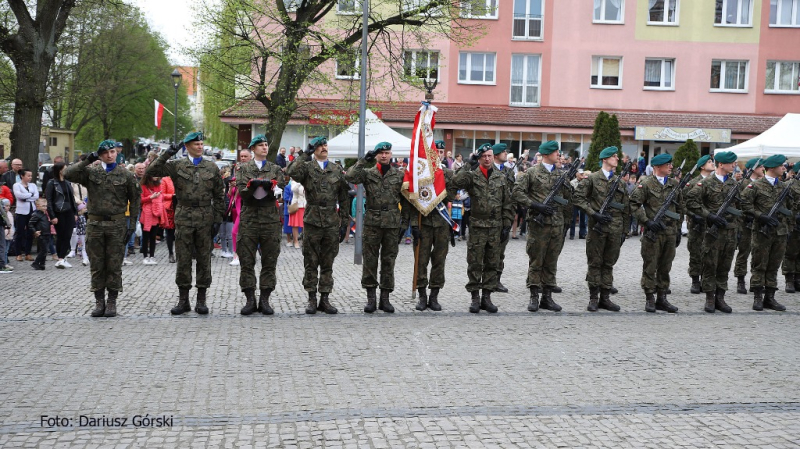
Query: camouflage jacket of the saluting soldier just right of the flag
(490,198)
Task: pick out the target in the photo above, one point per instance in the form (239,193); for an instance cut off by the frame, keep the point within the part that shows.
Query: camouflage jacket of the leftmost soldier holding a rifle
(535,185)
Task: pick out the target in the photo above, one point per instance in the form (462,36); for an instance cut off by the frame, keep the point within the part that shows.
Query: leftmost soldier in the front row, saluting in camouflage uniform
(111,190)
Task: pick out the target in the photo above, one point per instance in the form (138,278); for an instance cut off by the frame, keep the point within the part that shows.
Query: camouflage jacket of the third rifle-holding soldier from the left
(649,195)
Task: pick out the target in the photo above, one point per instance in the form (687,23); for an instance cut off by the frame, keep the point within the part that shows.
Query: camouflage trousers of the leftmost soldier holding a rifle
(543,246)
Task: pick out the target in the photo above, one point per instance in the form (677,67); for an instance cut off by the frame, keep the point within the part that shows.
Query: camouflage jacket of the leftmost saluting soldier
(109,193)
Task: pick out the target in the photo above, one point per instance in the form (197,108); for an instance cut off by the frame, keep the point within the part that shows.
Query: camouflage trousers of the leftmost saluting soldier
(104,243)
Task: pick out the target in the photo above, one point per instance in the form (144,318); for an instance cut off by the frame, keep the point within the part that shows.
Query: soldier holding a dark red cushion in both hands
(260,183)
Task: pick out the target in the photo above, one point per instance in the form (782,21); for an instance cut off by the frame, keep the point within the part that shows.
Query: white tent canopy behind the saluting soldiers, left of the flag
(346,144)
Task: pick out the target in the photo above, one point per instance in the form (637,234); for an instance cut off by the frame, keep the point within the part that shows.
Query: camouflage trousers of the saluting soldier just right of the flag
(483,258)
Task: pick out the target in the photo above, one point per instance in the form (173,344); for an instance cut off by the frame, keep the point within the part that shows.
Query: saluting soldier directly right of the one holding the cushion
(323,227)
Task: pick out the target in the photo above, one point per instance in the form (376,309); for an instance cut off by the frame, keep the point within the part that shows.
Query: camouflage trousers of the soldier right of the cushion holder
(320,247)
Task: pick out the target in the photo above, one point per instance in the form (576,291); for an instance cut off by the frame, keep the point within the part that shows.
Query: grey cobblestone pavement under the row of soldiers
(412,379)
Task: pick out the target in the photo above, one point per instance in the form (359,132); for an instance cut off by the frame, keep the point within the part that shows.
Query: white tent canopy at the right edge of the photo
(783,138)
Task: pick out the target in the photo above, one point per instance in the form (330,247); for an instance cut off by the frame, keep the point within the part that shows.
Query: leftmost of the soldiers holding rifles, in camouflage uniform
(545,238)
